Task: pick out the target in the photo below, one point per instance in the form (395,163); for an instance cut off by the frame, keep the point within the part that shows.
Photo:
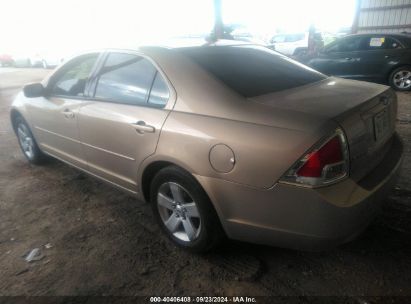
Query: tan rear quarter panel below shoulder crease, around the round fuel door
(262,153)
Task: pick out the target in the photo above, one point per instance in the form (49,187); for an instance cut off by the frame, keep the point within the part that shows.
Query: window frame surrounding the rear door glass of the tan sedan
(95,77)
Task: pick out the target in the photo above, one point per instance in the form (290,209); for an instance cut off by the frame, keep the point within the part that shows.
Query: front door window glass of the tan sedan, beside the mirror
(71,82)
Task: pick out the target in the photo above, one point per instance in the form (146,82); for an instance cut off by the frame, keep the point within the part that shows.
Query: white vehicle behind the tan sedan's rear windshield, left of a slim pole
(287,44)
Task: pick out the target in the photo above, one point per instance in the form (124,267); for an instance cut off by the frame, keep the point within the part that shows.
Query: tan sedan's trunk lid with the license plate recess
(365,111)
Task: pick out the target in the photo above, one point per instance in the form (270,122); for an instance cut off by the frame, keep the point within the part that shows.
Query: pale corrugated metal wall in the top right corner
(386,16)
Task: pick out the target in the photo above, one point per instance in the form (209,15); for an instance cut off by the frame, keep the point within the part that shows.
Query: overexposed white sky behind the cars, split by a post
(67,26)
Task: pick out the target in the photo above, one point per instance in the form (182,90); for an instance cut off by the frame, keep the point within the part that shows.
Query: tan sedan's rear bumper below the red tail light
(303,218)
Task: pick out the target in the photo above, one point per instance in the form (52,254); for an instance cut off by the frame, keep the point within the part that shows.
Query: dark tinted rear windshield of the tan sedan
(252,70)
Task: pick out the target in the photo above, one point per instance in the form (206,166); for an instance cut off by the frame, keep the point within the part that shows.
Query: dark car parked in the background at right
(382,58)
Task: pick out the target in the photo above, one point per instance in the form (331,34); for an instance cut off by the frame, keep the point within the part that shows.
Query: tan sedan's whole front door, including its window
(55,116)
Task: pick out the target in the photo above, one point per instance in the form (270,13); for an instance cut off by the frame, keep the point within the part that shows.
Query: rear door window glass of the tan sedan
(129,79)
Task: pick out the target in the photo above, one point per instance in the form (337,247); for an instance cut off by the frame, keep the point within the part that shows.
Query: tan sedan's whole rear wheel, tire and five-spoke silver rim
(178,203)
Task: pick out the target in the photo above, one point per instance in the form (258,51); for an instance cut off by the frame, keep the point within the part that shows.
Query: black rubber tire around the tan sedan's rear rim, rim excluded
(211,232)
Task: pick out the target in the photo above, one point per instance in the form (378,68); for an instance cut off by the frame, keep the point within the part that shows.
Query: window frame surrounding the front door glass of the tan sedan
(52,80)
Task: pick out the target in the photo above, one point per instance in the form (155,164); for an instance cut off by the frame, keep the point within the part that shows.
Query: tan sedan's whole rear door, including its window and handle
(120,127)
